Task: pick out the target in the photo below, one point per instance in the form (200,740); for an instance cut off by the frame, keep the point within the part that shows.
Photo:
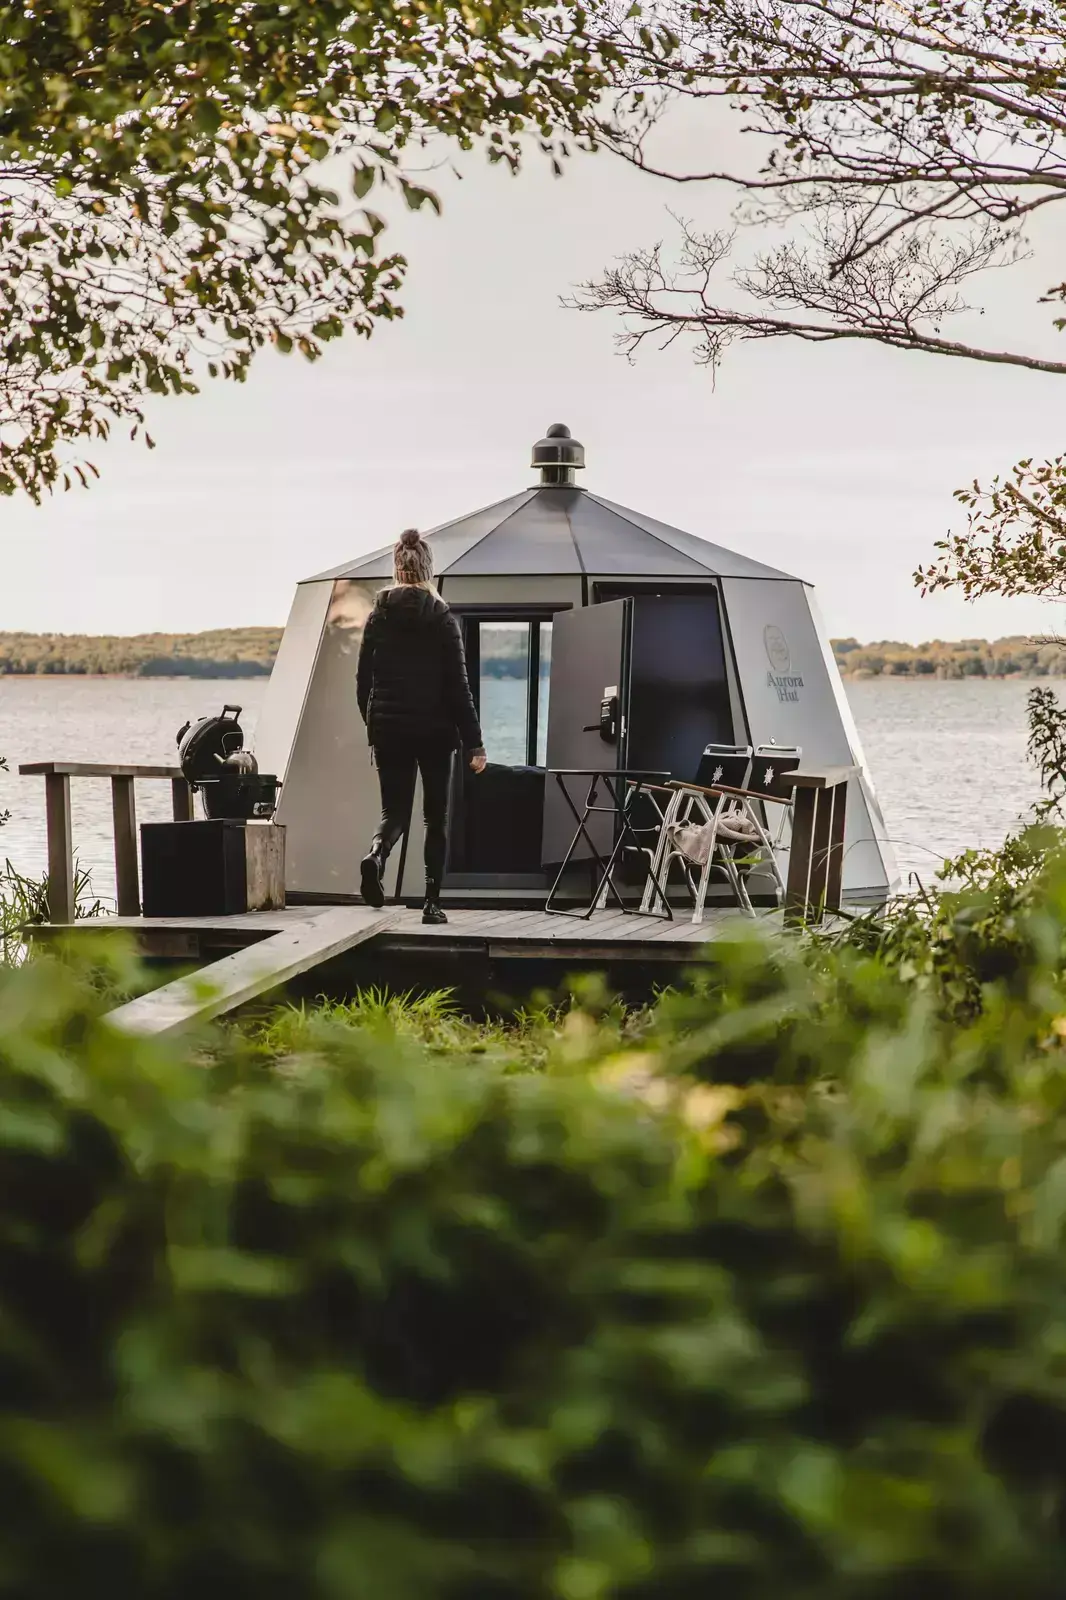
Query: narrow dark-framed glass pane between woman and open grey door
(510,674)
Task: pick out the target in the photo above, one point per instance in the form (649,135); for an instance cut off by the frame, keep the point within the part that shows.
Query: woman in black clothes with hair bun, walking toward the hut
(417,703)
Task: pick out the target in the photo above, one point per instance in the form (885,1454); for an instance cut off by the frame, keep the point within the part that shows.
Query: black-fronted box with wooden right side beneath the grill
(212,870)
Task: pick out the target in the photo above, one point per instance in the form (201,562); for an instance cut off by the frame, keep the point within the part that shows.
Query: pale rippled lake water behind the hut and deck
(948,758)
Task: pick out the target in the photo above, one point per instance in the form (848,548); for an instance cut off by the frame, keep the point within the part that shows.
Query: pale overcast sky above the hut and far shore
(833,463)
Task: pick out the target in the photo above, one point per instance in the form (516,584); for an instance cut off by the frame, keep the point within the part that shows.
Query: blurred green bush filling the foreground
(763,1300)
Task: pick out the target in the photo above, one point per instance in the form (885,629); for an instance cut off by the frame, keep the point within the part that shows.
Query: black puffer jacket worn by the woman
(412,673)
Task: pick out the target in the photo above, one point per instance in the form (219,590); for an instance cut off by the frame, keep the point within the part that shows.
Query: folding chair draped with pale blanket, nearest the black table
(703,826)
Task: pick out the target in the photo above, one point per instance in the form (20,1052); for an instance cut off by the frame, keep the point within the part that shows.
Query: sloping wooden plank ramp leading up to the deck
(252,972)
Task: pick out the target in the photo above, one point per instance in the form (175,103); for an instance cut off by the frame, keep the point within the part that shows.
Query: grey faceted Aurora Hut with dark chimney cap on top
(569,602)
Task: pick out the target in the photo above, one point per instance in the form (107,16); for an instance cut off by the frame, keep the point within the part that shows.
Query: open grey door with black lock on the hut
(587,716)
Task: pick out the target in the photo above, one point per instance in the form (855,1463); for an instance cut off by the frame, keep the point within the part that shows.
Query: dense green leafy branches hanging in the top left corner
(167,177)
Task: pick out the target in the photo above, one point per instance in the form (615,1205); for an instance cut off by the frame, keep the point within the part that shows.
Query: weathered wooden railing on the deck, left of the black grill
(124,809)
